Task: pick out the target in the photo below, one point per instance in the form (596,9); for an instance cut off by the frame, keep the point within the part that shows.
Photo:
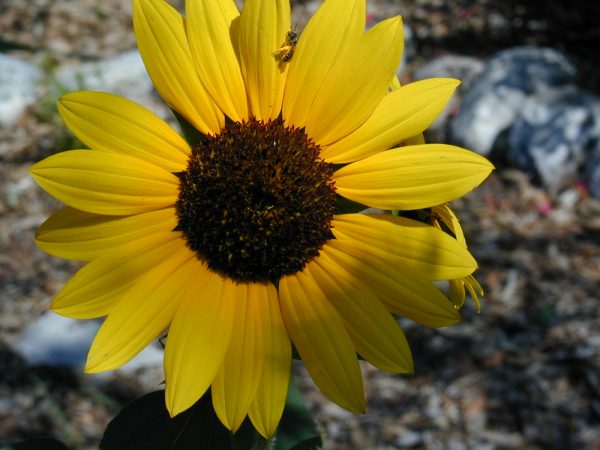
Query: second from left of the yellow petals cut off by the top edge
(208,25)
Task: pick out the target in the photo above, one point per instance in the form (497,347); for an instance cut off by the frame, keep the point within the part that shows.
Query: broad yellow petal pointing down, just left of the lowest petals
(198,339)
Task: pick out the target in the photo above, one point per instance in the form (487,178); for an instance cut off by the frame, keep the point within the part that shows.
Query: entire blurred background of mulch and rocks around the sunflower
(522,374)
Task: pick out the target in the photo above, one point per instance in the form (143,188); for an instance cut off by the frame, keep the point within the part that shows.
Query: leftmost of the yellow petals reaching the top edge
(160,34)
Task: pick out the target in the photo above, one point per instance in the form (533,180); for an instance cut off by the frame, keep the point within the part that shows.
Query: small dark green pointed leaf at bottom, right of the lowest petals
(297,429)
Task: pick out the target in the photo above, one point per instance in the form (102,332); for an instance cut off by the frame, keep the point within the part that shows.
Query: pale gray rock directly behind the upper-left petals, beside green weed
(123,75)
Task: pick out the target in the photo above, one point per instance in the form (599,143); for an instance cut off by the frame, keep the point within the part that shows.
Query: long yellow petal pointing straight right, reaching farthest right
(412,177)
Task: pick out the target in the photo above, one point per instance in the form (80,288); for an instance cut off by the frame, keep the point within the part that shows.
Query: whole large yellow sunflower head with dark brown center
(233,240)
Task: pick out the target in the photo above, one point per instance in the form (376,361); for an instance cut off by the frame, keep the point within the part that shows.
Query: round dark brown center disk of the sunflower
(256,201)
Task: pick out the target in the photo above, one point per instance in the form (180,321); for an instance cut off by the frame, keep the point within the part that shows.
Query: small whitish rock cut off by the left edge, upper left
(18,82)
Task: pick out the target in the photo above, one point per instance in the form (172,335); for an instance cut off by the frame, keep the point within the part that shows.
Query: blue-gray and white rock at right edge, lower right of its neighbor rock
(554,134)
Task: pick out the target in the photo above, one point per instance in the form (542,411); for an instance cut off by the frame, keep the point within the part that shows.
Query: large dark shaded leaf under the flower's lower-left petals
(144,424)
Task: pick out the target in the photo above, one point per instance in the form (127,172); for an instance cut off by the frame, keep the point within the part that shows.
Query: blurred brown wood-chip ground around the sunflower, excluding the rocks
(522,374)
